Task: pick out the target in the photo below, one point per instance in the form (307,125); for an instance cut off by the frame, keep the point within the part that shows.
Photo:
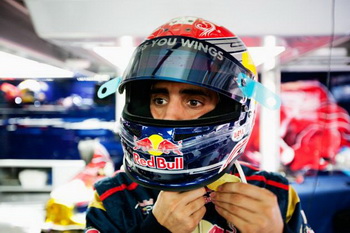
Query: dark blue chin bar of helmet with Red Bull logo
(155,159)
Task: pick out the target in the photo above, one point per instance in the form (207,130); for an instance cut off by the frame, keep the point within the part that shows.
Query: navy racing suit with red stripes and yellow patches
(121,205)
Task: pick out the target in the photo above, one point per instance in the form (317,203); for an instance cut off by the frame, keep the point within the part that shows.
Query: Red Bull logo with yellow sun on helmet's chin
(156,145)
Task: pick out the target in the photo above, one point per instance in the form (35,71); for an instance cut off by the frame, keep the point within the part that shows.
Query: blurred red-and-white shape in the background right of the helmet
(313,128)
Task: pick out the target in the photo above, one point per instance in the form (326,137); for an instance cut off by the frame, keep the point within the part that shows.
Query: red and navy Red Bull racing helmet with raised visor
(185,154)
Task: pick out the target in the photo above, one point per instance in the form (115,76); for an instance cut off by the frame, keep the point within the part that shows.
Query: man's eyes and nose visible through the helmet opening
(180,101)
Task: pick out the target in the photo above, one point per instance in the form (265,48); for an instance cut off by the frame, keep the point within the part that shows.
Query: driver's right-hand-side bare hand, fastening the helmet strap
(249,208)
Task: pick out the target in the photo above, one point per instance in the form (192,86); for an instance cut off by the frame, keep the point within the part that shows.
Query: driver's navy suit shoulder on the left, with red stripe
(119,203)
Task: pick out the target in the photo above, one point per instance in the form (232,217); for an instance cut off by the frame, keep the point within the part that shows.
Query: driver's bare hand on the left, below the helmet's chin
(180,211)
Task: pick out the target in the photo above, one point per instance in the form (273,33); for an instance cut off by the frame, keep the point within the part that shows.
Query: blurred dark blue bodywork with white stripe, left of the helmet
(60,125)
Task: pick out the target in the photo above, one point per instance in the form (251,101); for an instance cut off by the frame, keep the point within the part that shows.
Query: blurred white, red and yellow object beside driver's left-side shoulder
(65,210)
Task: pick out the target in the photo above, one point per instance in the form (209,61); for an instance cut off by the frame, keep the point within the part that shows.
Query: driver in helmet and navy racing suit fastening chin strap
(187,118)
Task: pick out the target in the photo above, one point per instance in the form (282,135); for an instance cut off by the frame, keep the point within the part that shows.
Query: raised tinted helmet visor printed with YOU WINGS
(187,60)
